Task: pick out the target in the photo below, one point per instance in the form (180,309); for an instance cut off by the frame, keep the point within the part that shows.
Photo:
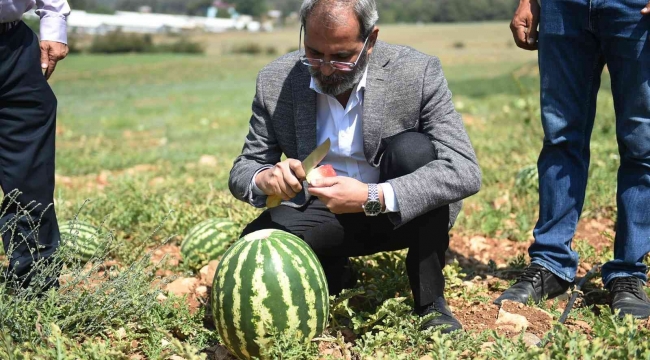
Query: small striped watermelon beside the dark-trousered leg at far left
(81,238)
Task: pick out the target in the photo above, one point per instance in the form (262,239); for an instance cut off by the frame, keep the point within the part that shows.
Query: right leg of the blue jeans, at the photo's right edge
(623,31)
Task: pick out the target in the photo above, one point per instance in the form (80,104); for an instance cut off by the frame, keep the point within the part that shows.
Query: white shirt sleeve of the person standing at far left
(53,14)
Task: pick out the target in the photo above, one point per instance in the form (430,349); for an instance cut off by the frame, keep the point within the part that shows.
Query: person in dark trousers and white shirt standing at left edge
(27,130)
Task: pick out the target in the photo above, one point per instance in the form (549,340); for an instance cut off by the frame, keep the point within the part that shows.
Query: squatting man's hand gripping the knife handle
(282,179)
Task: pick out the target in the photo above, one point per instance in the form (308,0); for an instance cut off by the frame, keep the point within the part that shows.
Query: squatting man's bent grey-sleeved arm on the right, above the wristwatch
(455,174)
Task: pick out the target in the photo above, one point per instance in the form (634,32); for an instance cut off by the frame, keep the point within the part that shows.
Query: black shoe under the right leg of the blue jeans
(628,297)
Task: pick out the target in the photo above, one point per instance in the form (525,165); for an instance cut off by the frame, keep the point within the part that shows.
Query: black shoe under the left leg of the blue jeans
(535,283)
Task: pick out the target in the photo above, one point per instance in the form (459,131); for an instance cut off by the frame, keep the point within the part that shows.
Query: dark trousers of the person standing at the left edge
(27,131)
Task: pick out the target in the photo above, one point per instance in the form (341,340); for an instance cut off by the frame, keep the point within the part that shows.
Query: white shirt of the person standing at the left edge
(53,14)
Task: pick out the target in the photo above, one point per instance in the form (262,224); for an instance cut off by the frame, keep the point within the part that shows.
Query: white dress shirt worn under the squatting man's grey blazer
(344,128)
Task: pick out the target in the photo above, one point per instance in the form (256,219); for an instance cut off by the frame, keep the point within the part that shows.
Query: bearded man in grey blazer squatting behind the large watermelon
(397,141)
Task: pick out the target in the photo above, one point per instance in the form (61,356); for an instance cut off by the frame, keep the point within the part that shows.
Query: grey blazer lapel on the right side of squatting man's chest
(374,101)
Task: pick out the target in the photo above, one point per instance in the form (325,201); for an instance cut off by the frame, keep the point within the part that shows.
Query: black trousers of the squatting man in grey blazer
(334,238)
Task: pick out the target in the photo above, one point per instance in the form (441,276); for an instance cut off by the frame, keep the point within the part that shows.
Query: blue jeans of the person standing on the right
(576,39)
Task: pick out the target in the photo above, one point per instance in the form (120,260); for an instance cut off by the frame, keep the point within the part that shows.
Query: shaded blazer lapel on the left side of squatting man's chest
(304,100)
